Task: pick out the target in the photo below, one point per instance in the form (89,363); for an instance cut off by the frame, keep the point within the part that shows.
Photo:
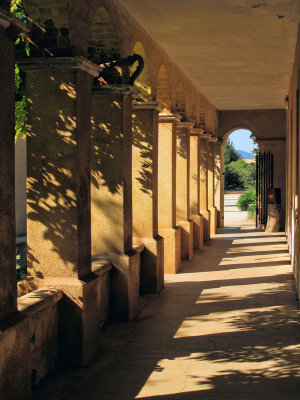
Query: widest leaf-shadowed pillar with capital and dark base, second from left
(58,197)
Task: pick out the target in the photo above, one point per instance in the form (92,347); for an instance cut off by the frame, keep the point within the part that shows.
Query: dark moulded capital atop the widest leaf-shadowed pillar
(54,63)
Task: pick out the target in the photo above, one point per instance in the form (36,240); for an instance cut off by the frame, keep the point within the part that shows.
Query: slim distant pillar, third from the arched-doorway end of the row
(203,195)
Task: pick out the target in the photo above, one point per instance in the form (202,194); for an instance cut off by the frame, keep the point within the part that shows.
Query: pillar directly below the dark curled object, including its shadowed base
(111,195)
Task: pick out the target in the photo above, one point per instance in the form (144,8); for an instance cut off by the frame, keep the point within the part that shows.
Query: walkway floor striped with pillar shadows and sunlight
(226,327)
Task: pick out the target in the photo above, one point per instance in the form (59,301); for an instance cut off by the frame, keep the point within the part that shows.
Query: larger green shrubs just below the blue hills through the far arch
(239,175)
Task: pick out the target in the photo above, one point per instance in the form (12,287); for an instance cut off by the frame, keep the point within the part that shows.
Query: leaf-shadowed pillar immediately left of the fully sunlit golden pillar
(145,195)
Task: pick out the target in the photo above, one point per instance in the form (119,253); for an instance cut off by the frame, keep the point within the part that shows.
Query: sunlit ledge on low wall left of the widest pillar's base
(38,300)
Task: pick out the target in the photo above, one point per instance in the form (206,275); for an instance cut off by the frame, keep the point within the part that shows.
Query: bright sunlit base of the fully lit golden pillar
(172,249)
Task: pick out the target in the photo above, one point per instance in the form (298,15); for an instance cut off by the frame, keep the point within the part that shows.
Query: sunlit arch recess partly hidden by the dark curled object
(143,82)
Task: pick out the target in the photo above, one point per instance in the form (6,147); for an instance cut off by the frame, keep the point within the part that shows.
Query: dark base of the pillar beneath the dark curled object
(125,285)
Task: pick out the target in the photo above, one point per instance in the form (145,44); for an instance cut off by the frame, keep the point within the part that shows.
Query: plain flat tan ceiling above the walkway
(239,53)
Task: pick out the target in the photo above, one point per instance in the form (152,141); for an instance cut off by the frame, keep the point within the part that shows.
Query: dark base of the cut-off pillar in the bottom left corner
(15,365)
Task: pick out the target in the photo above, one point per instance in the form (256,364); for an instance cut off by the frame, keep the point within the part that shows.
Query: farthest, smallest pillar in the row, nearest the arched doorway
(218,182)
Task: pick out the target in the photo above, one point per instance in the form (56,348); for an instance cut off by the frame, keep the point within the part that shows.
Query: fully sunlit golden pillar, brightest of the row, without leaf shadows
(167,192)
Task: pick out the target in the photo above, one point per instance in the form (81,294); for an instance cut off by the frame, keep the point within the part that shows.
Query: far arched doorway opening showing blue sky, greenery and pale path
(240,178)
